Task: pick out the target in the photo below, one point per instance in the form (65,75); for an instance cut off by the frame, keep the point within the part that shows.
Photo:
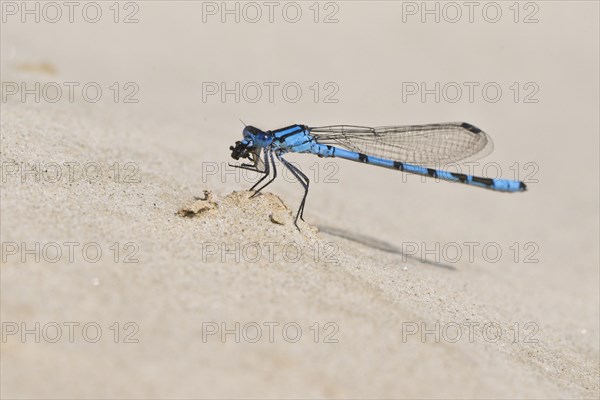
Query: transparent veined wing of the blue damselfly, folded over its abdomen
(428,145)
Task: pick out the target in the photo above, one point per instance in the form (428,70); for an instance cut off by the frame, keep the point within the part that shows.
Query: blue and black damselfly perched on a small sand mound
(415,149)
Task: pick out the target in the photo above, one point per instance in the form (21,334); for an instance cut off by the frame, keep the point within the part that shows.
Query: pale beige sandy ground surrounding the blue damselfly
(190,266)
